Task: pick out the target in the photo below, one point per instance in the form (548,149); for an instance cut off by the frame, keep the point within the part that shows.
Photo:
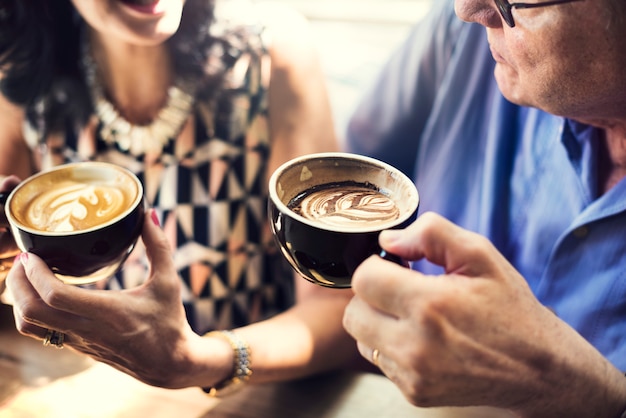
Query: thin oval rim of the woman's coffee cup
(136,202)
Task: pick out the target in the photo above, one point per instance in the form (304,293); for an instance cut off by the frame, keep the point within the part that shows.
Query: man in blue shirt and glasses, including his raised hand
(513,127)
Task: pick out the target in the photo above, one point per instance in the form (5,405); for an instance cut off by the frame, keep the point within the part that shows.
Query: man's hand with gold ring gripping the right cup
(475,335)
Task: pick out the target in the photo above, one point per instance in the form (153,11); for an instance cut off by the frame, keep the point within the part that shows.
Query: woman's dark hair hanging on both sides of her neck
(40,57)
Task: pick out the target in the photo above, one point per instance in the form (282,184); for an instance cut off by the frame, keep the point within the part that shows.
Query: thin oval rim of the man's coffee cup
(282,207)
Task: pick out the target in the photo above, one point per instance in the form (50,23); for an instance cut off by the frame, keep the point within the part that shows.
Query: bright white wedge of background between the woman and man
(355,38)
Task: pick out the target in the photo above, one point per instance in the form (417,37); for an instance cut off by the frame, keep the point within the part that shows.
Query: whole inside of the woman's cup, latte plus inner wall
(73,200)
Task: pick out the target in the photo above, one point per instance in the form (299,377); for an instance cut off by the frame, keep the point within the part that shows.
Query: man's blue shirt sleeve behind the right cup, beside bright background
(392,115)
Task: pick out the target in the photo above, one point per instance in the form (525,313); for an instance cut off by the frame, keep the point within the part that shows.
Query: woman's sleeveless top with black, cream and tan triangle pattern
(211,195)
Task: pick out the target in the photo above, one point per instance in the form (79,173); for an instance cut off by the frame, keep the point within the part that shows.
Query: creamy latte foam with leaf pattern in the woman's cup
(74,206)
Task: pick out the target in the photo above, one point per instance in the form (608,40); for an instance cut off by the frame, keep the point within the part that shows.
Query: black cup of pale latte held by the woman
(83,219)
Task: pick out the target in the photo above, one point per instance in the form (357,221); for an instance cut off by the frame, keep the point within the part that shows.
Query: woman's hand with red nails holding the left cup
(141,331)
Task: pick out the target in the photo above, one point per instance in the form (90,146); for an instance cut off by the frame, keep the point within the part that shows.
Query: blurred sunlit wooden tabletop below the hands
(37,381)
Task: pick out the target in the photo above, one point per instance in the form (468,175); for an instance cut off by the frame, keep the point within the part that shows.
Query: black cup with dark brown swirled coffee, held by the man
(327,210)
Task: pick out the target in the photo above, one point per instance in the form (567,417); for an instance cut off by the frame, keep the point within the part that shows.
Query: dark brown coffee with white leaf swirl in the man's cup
(346,205)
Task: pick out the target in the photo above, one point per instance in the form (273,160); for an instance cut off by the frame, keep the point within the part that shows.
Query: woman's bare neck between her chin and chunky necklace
(134,78)
